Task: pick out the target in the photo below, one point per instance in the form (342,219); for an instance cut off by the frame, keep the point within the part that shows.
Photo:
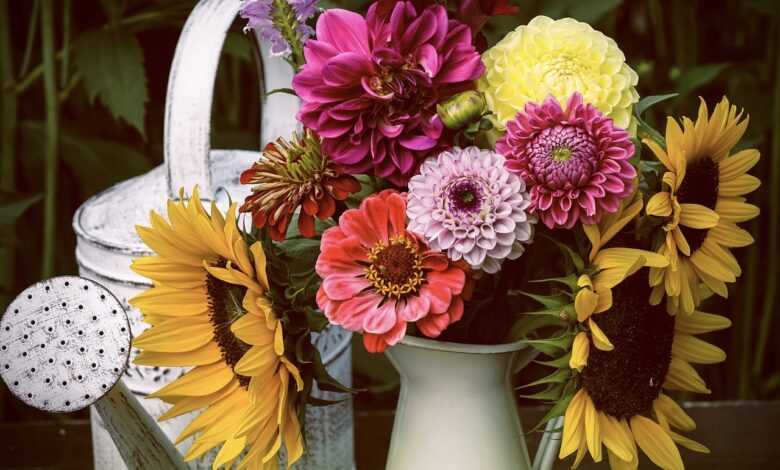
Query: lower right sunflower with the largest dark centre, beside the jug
(620,400)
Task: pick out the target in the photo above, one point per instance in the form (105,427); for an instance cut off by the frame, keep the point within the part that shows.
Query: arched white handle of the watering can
(191,91)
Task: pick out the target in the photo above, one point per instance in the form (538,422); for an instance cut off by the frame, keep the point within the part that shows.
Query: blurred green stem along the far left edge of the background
(8,120)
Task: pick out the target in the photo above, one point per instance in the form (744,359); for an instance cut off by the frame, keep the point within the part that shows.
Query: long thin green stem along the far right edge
(773,218)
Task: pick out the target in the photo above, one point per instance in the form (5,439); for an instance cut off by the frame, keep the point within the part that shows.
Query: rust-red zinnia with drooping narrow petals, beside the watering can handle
(293,174)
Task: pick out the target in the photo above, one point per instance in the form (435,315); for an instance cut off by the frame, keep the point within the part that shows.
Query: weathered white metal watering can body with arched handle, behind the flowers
(107,241)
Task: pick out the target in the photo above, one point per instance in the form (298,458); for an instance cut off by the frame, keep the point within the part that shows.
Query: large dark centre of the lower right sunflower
(624,382)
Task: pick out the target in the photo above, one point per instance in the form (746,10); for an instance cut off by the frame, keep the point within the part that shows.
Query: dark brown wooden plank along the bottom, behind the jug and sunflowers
(742,435)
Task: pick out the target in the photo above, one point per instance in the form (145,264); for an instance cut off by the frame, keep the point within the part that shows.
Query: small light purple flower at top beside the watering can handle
(260,16)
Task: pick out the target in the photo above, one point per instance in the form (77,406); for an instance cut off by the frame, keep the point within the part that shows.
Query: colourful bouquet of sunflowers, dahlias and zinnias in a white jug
(461,201)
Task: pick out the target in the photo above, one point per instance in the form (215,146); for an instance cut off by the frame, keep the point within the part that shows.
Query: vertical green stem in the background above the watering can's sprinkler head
(52,138)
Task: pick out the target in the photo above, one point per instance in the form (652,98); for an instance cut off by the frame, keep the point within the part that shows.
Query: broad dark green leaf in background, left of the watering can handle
(111,63)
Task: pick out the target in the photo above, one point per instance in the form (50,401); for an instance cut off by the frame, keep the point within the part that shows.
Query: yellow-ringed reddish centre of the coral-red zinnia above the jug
(395,268)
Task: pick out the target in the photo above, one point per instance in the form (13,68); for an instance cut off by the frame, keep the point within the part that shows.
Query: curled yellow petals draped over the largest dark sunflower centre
(608,267)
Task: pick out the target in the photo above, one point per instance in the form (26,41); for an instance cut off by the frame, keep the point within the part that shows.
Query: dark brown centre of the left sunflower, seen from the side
(225,308)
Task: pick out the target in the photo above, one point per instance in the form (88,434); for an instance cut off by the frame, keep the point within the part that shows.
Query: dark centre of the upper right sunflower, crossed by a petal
(700,186)
